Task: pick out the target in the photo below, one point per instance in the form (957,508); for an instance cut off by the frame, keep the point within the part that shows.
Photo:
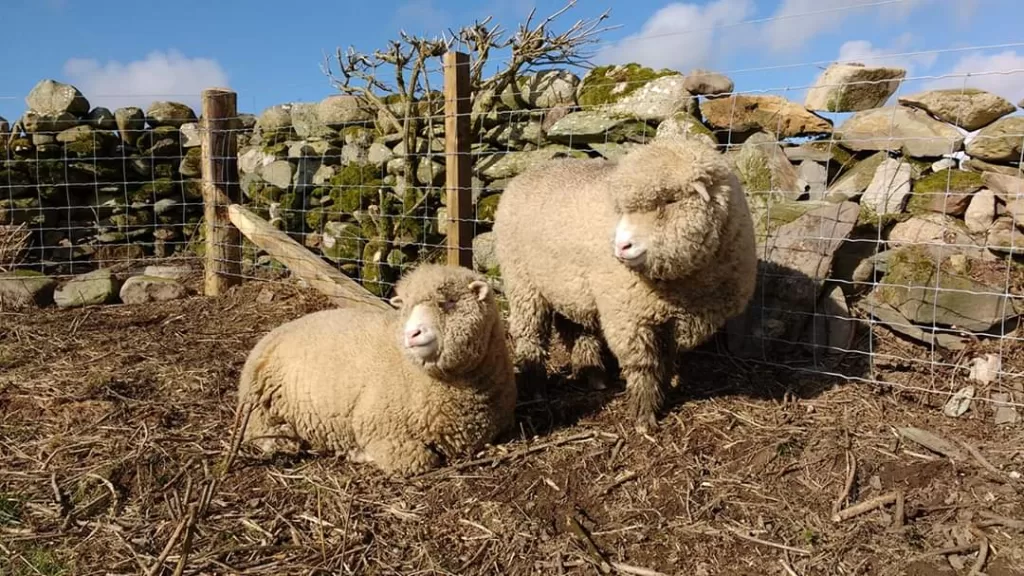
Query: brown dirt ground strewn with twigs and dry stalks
(115,424)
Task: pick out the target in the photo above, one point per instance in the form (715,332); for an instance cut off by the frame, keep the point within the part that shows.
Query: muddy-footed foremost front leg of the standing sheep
(641,353)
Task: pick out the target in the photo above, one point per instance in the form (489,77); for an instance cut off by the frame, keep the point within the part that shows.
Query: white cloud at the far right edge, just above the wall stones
(1001,73)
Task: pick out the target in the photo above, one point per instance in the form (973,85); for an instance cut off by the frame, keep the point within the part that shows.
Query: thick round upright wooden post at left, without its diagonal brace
(221,189)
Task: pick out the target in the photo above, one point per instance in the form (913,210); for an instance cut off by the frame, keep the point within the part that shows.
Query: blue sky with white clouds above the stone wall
(122,53)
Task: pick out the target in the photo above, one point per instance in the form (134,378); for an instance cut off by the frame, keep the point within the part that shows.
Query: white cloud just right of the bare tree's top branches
(680,36)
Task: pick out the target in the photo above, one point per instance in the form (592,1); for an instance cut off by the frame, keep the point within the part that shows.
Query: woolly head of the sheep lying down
(446,324)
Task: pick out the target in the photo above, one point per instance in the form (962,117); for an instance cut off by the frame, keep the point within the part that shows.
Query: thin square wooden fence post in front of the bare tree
(458,163)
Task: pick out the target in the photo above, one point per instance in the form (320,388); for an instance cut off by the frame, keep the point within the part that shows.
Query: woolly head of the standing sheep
(670,219)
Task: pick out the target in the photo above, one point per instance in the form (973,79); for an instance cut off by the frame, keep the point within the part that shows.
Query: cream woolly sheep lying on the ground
(405,389)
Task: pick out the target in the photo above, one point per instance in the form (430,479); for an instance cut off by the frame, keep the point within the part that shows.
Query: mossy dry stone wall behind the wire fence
(894,215)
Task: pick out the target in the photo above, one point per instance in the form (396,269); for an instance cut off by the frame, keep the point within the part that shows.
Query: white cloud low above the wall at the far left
(160,76)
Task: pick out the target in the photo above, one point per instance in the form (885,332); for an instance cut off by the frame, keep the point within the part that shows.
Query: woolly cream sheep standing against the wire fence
(654,252)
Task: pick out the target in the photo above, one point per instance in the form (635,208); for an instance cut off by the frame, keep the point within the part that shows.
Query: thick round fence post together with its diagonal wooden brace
(227,221)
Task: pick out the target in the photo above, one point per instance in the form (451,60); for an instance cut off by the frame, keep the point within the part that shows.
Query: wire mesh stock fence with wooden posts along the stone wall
(889,240)
